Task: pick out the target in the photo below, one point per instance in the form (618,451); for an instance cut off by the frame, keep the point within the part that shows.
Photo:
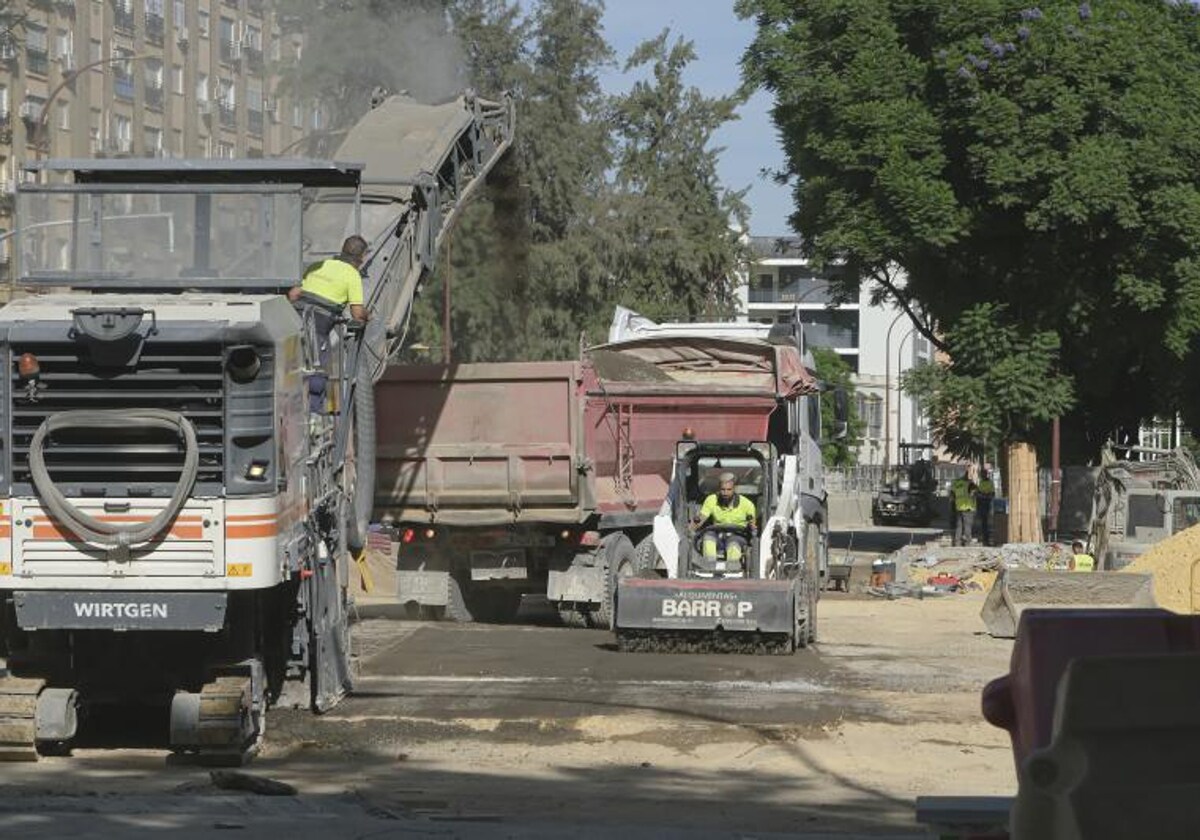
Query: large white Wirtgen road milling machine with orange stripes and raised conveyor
(176,527)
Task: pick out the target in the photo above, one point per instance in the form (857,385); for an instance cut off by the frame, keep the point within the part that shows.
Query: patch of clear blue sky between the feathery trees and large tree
(721,38)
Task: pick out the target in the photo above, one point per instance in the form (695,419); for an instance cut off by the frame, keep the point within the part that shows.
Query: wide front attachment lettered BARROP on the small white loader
(707,616)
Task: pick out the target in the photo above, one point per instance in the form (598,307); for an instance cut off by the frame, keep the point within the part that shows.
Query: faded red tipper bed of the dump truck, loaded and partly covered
(565,442)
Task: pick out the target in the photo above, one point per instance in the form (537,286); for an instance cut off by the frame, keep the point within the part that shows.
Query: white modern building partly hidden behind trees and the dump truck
(879,343)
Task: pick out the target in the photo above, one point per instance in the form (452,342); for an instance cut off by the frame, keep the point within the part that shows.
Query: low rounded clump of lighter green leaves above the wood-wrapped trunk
(1000,385)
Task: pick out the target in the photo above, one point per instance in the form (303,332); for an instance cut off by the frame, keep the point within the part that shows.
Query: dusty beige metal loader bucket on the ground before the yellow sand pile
(1018,590)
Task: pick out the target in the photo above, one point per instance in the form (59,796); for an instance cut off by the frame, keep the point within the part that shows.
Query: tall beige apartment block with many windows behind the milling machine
(143,79)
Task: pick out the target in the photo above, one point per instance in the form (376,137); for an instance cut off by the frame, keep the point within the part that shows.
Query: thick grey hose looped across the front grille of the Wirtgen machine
(110,533)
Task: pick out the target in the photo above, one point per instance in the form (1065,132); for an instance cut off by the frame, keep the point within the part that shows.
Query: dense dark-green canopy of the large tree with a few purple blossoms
(1040,157)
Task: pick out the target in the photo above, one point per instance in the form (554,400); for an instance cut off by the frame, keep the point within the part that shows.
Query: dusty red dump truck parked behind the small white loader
(509,479)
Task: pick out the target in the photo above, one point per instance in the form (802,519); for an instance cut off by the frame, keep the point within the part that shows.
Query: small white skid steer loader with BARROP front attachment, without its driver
(682,602)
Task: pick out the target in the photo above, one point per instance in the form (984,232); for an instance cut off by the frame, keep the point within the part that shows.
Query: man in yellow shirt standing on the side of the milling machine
(327,290)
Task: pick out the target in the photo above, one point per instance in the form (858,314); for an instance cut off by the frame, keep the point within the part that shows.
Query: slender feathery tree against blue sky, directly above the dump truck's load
(680,227)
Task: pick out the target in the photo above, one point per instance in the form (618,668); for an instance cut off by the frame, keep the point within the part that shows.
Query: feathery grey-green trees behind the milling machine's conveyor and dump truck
(603,202)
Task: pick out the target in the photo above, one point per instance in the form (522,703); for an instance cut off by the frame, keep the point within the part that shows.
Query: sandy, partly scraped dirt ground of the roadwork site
(532,730)
